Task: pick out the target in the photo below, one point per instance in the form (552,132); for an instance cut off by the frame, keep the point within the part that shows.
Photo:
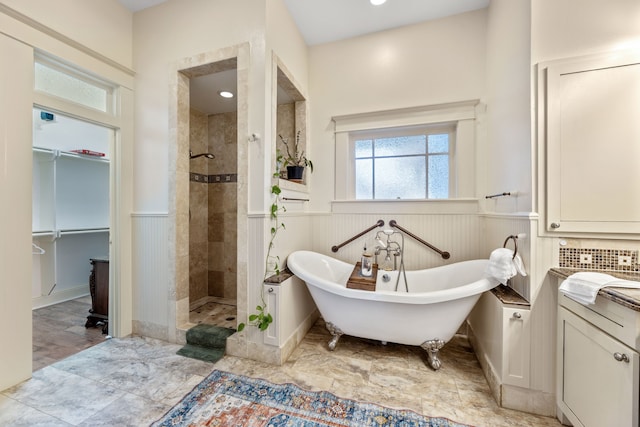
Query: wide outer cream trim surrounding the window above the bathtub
(460,115)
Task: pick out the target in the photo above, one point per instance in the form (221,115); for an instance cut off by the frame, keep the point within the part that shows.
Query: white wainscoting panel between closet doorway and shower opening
(151,300)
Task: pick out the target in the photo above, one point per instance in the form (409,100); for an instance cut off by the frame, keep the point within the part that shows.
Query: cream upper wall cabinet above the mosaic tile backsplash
(589,144)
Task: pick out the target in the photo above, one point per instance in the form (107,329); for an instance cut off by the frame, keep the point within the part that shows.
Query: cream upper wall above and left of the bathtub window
(430,63)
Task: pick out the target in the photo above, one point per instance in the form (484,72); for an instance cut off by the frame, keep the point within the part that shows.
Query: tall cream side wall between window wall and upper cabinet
(505,159)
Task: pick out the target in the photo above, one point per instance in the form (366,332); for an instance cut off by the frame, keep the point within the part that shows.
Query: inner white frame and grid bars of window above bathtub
(438,129)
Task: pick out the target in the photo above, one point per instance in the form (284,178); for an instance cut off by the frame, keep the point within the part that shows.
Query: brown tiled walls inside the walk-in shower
(213,207)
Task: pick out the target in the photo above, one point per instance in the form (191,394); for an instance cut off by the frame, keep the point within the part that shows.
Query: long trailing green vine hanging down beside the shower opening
(261,319)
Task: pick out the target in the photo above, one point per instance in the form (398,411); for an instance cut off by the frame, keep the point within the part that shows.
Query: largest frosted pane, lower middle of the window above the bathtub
(400,178)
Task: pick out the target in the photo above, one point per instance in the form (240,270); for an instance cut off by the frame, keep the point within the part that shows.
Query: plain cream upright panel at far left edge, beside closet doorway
(15,223)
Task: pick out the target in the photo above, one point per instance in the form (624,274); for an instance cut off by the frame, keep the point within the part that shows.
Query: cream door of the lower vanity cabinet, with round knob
(597,389)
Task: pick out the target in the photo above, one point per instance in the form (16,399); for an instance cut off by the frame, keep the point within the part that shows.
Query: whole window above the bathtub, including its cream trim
(377,152)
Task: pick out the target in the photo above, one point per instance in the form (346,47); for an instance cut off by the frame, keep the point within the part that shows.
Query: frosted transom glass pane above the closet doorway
(69,87)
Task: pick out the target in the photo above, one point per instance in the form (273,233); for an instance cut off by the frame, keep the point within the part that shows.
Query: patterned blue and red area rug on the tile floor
(225,399)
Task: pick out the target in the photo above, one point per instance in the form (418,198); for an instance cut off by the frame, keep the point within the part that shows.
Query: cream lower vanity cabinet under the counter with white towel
(598,364)
